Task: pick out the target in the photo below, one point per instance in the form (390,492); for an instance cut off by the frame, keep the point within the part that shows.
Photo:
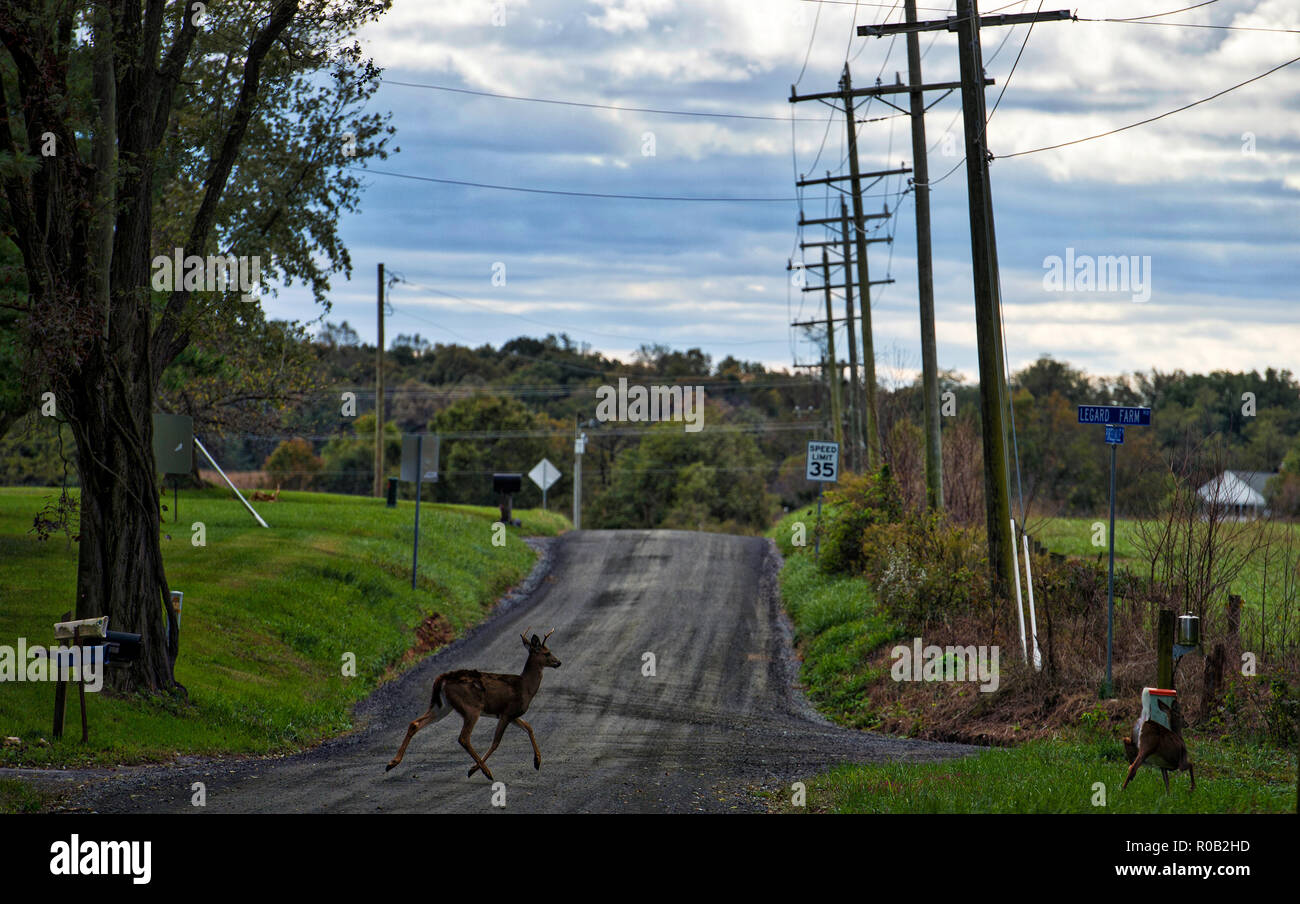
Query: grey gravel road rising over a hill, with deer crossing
(720,719)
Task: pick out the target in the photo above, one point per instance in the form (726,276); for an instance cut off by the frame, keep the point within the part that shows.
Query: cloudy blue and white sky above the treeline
(1203,205)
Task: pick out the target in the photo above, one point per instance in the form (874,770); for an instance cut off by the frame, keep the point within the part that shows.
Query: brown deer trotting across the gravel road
(474,694)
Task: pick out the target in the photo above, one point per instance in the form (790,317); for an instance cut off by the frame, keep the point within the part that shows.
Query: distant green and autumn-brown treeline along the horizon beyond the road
(300,410)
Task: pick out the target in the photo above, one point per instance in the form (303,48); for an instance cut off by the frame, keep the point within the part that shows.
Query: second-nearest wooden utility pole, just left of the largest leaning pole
(925,273)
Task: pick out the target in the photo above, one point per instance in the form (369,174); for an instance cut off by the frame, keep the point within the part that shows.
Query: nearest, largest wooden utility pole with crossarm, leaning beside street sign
(989,314)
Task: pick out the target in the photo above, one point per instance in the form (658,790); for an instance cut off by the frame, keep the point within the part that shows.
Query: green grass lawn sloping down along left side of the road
(268,618)
